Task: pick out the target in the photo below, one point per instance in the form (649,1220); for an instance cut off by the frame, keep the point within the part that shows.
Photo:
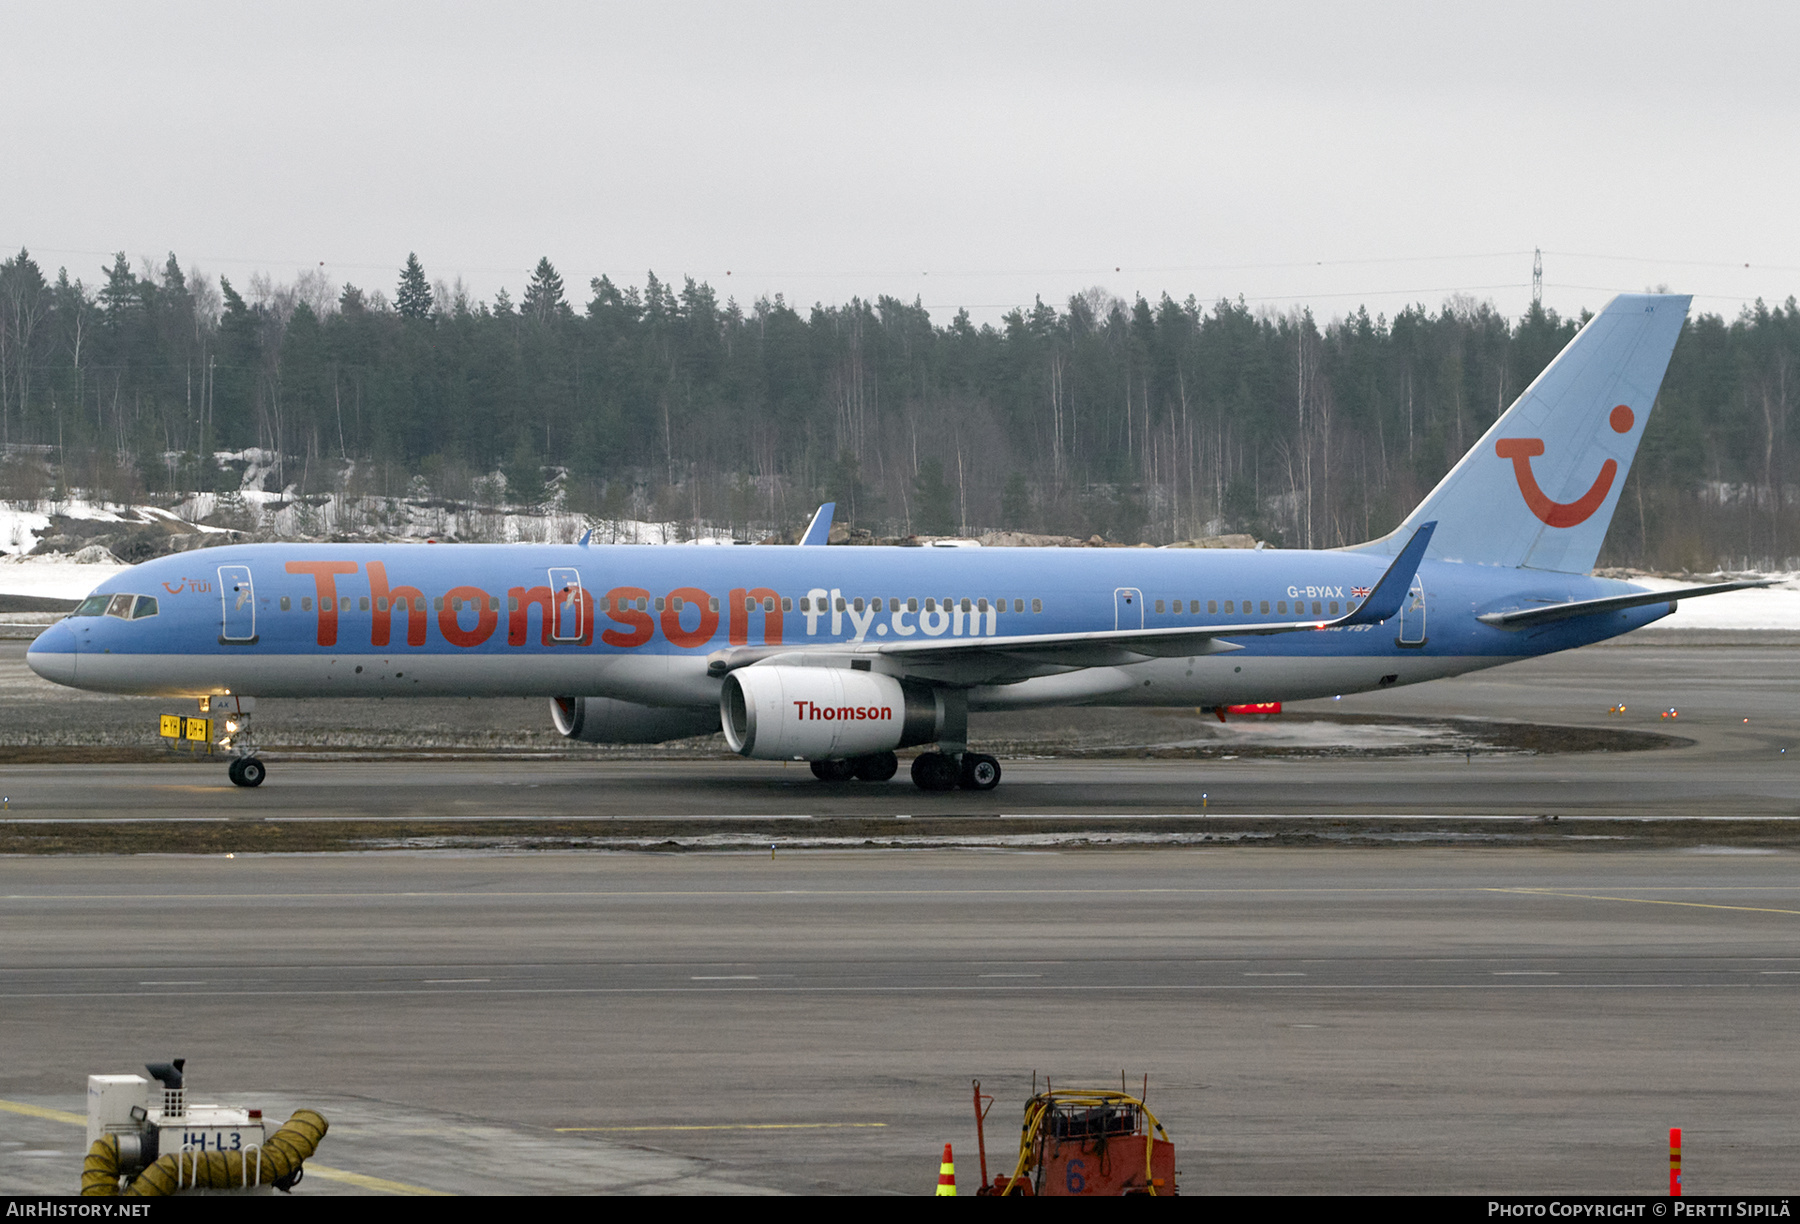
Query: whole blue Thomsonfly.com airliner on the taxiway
(840,656)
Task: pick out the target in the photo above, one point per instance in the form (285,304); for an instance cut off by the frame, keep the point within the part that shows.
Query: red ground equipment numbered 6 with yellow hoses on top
(1083,1142)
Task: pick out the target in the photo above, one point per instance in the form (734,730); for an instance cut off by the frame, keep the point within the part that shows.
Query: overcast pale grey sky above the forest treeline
(962,154)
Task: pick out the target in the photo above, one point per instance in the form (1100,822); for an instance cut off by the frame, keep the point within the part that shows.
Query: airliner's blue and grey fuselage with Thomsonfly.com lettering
(564,620)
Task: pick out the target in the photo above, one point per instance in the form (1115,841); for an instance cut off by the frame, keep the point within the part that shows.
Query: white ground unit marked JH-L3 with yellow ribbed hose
(145,1140)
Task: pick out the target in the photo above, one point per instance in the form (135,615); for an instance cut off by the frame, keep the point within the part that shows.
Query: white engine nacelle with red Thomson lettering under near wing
(825,714)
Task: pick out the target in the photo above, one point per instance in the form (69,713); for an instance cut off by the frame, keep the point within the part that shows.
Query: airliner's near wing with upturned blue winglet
(991,656)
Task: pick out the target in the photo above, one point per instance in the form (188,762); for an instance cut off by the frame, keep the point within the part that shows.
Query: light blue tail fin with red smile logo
(1540,489)
